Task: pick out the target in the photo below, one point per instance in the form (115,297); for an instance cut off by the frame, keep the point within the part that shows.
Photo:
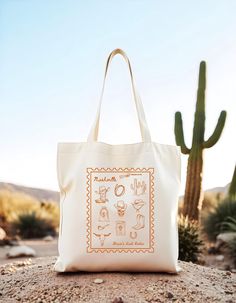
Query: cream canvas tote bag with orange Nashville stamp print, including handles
(118,203)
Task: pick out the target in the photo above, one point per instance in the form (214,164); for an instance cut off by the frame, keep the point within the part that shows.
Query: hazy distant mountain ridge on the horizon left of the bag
(38,193)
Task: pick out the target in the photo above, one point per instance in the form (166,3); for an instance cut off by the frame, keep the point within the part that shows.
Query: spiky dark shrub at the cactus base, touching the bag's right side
(189,241)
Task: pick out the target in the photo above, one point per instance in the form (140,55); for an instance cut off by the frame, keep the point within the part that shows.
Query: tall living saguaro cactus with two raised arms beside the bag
(192,198)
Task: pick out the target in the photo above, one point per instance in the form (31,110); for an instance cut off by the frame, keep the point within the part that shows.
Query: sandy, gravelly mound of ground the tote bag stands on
(35,281)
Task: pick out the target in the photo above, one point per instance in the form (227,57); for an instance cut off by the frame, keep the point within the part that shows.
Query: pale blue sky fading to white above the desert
(52,59)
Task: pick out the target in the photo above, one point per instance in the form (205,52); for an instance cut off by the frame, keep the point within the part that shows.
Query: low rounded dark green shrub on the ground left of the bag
(30,225)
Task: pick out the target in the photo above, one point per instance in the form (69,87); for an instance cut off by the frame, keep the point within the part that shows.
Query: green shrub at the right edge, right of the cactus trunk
(212,223)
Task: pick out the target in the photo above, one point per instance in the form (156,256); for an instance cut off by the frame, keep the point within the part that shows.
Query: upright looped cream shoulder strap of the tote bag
(93,135)
